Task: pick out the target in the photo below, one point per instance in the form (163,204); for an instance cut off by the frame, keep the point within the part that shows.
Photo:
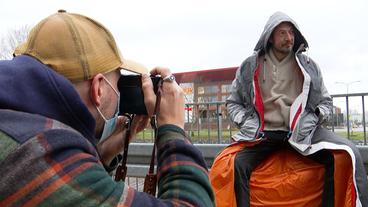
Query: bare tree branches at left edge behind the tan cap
(11,40)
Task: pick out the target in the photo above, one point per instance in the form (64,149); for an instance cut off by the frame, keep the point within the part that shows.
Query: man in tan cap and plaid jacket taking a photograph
(60,129)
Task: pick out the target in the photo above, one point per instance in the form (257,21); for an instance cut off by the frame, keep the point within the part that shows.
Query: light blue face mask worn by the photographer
(110,124)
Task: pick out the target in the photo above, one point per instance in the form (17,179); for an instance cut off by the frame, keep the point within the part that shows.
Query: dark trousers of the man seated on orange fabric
(250,157)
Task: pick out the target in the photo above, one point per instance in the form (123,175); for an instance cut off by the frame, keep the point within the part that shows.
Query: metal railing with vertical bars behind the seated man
(209,122)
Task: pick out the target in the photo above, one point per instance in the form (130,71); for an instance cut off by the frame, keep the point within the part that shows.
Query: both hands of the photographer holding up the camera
(171,112)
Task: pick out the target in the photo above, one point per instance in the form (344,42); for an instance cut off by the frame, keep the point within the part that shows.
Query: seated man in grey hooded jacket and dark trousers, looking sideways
(278,100)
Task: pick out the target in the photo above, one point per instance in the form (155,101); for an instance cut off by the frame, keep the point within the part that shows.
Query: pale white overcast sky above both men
(195,35)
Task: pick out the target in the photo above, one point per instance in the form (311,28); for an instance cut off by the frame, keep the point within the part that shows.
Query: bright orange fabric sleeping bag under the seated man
(285,178)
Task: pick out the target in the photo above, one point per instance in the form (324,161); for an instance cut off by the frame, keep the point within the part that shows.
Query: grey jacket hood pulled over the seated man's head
(276,19)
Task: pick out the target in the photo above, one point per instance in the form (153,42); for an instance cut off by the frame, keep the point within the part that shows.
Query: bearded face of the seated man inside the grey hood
(282,38)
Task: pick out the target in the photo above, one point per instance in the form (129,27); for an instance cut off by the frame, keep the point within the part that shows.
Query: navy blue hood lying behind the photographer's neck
(30,86)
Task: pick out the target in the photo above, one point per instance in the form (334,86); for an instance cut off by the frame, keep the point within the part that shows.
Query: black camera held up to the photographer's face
(131,94)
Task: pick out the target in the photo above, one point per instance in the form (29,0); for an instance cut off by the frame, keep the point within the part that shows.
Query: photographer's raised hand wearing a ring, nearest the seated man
(172,99)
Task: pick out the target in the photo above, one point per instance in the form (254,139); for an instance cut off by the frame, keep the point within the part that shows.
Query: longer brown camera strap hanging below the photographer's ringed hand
(150,181)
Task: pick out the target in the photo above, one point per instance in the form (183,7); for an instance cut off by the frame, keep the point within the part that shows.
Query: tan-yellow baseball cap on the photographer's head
(76,47)
